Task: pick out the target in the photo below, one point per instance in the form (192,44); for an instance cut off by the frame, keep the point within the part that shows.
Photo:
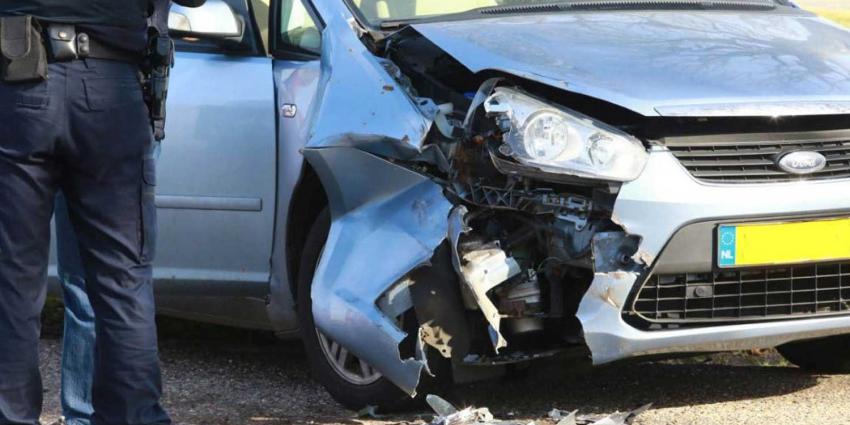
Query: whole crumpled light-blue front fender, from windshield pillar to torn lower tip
(386,220)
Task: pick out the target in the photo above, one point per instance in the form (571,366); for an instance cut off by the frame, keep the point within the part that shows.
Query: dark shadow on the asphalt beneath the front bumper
(627,386)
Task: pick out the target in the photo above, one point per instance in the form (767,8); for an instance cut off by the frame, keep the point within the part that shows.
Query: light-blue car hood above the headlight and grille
(668,63)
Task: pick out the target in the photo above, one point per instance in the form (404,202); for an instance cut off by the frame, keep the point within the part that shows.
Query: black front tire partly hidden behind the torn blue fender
(378,392)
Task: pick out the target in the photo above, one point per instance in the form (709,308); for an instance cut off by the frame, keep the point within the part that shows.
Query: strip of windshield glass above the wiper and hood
(378,12)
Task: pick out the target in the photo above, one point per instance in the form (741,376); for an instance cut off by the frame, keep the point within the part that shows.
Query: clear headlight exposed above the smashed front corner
(554,139)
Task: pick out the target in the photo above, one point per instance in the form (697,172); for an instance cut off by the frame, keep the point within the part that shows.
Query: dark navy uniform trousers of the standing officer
(84,131)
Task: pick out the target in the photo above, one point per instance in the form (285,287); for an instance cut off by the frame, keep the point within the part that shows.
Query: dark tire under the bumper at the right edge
(827,355)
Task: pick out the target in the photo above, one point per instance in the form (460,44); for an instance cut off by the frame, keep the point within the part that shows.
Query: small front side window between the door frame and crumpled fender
(298,28)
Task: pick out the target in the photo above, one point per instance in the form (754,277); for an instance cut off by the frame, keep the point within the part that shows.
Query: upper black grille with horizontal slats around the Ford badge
(753,161)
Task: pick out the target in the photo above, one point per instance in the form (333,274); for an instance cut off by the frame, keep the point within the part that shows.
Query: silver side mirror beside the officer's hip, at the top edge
(214,20)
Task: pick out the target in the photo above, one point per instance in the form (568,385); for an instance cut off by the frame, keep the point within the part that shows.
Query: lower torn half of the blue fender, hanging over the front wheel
(386,221)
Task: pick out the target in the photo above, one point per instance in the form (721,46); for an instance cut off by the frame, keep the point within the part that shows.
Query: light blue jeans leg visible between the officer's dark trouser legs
(79,333)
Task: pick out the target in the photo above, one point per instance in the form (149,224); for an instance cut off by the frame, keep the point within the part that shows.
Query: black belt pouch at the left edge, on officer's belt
(23,56)
